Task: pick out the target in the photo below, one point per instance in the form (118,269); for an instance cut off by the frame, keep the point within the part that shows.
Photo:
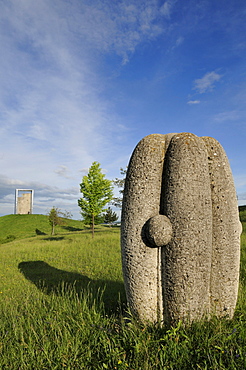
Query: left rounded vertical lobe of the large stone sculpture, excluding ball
(141,201)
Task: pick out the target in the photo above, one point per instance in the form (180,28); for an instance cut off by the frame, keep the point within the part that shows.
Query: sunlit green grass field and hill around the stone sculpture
(63,306)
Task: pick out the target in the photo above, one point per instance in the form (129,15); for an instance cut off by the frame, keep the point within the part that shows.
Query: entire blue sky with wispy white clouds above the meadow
(84,81)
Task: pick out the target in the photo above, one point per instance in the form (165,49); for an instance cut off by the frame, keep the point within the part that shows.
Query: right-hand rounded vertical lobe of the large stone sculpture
(226,232)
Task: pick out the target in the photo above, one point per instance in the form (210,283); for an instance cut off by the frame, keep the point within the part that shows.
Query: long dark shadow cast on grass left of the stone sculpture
(50,280)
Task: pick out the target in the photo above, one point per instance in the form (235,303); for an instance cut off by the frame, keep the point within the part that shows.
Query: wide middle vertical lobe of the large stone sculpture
(187,203)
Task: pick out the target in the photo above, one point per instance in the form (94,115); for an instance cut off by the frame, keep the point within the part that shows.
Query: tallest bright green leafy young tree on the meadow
(97,191)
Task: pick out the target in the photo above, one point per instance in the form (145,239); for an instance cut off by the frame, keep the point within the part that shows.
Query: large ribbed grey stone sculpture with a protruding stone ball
(180,233)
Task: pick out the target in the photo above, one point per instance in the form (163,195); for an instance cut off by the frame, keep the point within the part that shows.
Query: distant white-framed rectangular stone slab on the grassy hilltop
(24,201)
